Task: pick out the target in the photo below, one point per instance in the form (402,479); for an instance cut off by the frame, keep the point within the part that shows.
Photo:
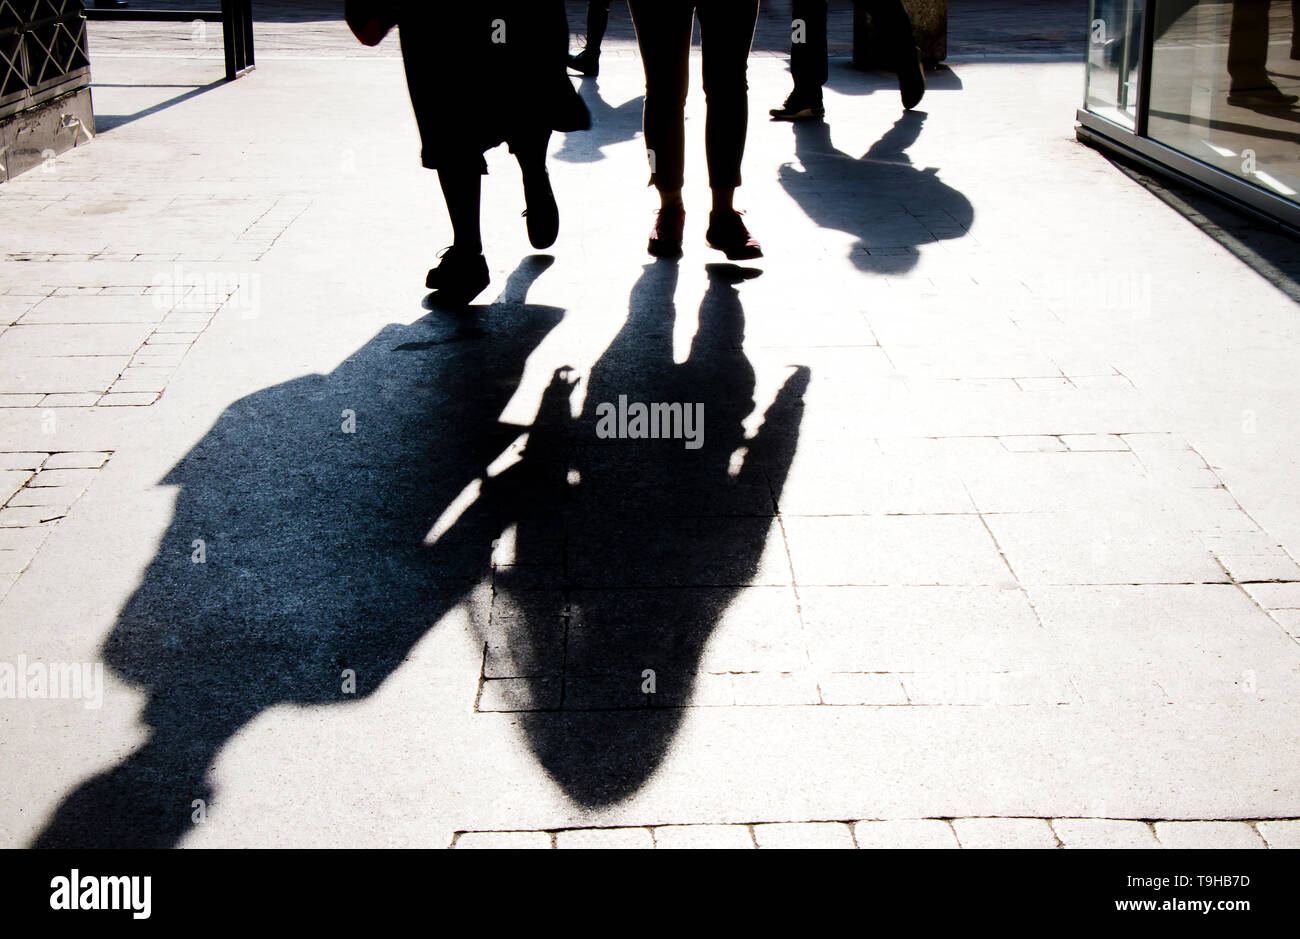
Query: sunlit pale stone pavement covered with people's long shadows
(990,538)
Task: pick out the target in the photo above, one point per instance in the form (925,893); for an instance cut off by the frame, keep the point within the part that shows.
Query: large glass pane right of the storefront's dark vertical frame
(1225,85)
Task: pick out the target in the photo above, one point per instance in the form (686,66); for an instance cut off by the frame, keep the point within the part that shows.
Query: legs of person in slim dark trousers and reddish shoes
(664,36)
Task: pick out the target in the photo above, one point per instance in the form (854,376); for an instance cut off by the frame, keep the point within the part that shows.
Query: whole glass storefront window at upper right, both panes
(1208,90)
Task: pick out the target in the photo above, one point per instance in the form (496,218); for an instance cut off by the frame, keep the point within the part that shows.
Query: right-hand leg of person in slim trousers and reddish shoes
(726,36)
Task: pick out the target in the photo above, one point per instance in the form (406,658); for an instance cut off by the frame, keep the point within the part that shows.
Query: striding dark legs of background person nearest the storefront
(809,57)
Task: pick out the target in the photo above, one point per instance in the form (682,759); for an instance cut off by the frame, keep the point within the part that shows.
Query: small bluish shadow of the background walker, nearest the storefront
(882,200)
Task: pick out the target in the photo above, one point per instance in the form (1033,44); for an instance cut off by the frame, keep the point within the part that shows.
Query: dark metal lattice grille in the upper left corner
(42,51)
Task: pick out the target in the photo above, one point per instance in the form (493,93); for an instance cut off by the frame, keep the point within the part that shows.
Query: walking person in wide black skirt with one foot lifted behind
(504,60)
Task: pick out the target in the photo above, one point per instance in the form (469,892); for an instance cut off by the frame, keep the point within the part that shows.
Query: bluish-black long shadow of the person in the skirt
(313,535)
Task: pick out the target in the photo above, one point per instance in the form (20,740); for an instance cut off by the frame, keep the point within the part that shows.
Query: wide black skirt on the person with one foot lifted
(486,73)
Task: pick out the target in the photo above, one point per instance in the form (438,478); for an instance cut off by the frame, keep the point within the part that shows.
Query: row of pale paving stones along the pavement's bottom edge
(913,833)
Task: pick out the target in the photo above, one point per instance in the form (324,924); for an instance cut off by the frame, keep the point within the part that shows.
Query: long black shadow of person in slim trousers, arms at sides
(648,540)
